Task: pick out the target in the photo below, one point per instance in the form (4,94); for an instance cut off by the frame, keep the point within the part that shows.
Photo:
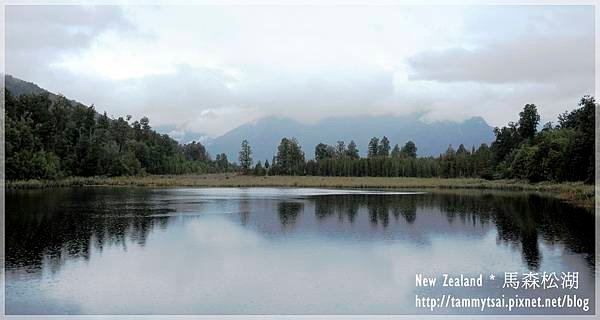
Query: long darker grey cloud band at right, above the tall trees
(541,59)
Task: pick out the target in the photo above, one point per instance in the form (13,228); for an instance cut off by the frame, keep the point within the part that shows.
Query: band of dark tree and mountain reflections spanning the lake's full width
(52,226)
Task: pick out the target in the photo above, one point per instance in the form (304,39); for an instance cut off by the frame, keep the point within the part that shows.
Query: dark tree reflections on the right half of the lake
(520,219)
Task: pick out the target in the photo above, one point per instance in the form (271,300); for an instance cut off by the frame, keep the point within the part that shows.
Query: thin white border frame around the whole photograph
(3,3)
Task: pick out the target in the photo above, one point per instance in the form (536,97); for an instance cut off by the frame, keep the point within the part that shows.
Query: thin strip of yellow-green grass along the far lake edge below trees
(574,192)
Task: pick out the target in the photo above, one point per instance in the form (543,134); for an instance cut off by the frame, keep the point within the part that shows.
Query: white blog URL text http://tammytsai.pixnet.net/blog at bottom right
(510,303)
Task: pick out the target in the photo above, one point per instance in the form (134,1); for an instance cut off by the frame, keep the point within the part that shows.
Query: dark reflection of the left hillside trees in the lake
(64,224)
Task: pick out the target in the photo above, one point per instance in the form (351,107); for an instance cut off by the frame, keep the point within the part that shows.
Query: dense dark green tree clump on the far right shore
(561,153)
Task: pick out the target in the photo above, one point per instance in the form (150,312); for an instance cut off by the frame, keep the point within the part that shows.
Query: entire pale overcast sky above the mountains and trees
(208,69)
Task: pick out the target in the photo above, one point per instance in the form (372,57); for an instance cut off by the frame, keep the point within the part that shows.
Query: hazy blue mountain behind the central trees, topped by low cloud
(431,138)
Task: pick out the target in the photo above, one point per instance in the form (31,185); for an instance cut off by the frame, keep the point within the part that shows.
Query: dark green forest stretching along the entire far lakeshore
(53,138)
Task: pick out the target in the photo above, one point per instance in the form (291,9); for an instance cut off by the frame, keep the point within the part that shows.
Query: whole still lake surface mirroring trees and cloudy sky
(282,251)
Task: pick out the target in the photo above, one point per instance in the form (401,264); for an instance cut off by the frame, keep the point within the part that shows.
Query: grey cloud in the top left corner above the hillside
(37,35)
